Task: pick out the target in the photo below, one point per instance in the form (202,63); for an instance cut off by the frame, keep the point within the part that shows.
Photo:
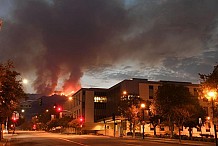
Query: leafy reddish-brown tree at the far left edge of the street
(11,90)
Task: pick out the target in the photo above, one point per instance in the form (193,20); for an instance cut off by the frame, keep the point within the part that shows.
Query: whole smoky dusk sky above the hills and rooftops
(67,44)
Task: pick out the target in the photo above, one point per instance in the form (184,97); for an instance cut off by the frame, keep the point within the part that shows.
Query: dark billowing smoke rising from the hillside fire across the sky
(64,38)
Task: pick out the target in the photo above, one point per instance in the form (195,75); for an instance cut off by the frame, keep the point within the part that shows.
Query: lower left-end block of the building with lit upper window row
(89,104)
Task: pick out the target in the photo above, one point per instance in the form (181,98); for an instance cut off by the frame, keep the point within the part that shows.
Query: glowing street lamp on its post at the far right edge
(212,95)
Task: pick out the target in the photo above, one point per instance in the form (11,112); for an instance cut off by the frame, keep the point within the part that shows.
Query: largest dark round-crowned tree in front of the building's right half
(170,100)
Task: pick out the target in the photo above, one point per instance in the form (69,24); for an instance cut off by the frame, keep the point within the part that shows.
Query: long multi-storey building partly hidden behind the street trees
(98,106)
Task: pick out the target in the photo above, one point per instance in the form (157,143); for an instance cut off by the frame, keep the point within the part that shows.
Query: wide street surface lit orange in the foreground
(28,138)
